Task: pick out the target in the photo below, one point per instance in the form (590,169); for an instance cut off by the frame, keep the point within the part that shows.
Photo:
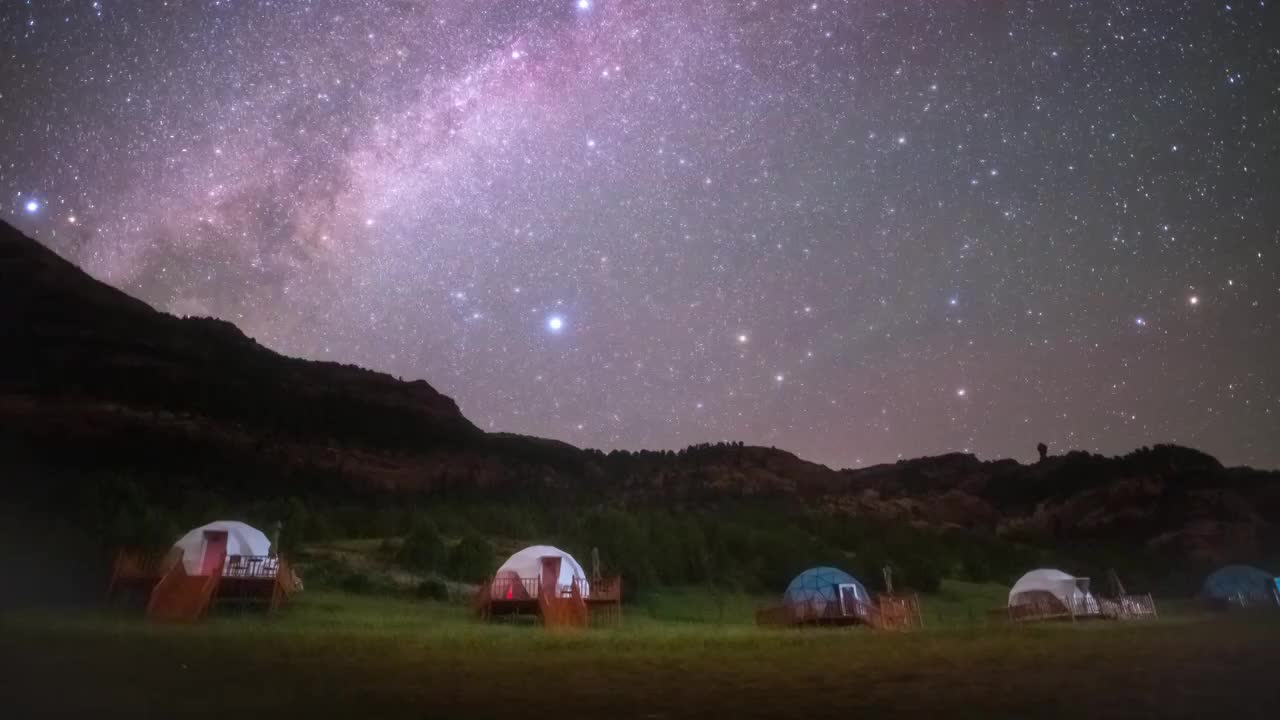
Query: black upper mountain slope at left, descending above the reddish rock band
(74,343)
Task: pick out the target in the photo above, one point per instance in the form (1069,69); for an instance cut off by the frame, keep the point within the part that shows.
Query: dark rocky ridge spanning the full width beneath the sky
(94,381)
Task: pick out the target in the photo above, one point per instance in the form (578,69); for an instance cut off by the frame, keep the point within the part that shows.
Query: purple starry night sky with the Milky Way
(854,230)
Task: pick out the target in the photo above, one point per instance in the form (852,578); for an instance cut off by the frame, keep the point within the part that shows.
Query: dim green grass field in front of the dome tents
(345,657)
